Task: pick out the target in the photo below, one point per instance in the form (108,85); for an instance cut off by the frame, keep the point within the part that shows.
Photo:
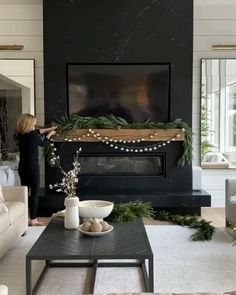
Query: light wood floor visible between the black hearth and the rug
(215,215)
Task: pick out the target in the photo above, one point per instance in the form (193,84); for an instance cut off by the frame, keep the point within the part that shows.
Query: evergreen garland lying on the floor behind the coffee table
(129,211)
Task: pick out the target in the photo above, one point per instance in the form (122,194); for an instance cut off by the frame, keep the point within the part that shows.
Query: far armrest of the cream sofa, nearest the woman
(15,193)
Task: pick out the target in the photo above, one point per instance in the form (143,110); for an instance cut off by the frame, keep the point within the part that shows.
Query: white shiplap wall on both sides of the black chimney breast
(214,23)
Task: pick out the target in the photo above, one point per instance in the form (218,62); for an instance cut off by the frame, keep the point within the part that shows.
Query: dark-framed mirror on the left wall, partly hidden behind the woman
(17,95)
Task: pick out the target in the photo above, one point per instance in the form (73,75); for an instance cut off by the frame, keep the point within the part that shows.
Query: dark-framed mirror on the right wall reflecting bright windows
(218,113)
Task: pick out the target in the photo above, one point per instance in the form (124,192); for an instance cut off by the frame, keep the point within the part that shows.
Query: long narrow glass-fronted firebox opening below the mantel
(126,165)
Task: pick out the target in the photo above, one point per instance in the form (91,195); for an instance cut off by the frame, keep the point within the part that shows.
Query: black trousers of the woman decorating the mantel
(29,176)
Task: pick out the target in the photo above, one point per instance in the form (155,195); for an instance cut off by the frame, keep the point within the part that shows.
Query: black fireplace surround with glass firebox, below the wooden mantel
(105,171)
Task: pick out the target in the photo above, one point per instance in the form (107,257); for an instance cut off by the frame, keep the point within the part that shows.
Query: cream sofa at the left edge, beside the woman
(14,223)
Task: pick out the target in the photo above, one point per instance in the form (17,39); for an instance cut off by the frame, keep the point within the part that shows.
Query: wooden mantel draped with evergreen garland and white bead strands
(117,133)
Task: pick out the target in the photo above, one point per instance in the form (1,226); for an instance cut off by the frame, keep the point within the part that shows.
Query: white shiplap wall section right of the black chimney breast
(214,23)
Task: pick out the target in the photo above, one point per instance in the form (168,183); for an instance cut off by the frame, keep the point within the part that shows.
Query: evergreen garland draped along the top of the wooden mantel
(66,124)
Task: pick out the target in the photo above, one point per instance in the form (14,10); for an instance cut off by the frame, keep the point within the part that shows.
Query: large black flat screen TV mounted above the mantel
(136,92)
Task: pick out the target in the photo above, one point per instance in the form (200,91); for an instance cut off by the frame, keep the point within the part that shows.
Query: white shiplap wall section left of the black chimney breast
(21,22)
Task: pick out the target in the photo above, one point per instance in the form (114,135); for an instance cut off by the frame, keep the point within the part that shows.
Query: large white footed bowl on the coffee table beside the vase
(95,208)
